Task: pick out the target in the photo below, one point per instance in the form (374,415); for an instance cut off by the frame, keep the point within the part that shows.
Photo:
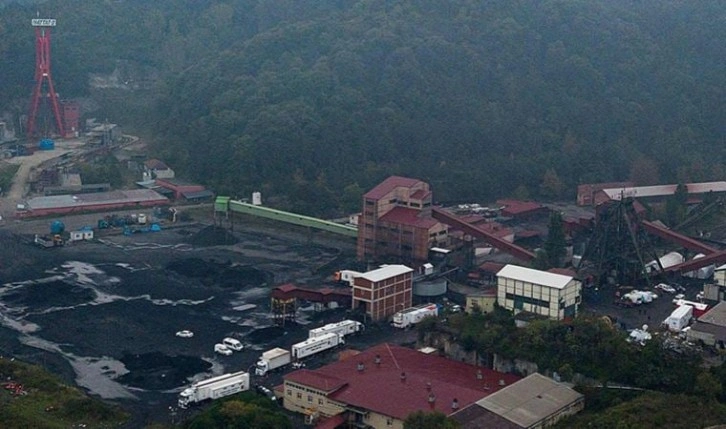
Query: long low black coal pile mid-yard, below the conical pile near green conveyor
(220,274)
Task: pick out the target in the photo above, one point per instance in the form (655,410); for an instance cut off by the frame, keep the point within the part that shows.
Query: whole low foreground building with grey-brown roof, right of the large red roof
(533,402)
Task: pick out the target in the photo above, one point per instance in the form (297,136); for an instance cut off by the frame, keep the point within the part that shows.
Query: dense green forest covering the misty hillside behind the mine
(312,101)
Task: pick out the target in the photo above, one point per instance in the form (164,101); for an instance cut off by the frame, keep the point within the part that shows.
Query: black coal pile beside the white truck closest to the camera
(157,371)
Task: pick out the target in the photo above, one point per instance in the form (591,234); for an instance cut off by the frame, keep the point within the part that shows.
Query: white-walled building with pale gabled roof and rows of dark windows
(552,295)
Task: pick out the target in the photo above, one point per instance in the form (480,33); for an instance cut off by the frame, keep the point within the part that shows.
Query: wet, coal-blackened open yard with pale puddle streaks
(104,314)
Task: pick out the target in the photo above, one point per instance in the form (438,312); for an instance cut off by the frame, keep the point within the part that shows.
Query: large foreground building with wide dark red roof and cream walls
(381,386)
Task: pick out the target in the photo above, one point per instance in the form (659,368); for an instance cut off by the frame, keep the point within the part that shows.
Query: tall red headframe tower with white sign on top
(43,76)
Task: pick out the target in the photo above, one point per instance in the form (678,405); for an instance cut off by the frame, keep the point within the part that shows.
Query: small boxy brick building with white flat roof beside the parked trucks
(383,292)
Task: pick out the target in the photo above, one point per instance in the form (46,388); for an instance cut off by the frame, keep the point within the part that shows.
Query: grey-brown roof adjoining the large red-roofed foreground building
(530,400)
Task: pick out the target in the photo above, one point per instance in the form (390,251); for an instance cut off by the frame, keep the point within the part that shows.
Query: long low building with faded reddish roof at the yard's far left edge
(66,204)
